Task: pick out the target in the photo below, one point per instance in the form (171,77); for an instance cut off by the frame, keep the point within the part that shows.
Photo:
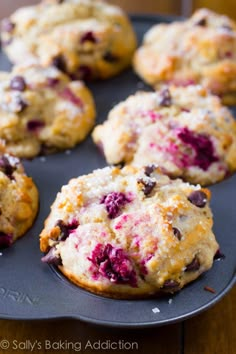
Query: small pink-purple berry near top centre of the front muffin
(114,202)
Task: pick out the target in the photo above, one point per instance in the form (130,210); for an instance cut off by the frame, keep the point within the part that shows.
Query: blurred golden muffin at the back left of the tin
(84,38)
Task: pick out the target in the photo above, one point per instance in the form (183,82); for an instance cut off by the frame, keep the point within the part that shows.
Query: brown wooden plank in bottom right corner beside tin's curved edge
(214,331)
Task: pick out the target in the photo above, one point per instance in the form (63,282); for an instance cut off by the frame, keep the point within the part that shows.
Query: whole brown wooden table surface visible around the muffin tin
(212,332)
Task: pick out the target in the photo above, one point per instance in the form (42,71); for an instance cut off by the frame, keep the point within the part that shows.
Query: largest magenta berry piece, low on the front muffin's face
(114,264)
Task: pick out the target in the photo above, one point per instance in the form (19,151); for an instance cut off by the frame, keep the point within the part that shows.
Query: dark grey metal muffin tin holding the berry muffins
(30,289)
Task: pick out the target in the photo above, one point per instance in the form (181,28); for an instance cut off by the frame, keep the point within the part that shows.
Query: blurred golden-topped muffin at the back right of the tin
(200,50)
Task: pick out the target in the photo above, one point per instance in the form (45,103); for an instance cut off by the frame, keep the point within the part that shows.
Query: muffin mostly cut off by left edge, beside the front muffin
(19,200)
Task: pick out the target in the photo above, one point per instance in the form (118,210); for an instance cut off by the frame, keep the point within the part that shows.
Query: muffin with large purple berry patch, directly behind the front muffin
(185,130)
